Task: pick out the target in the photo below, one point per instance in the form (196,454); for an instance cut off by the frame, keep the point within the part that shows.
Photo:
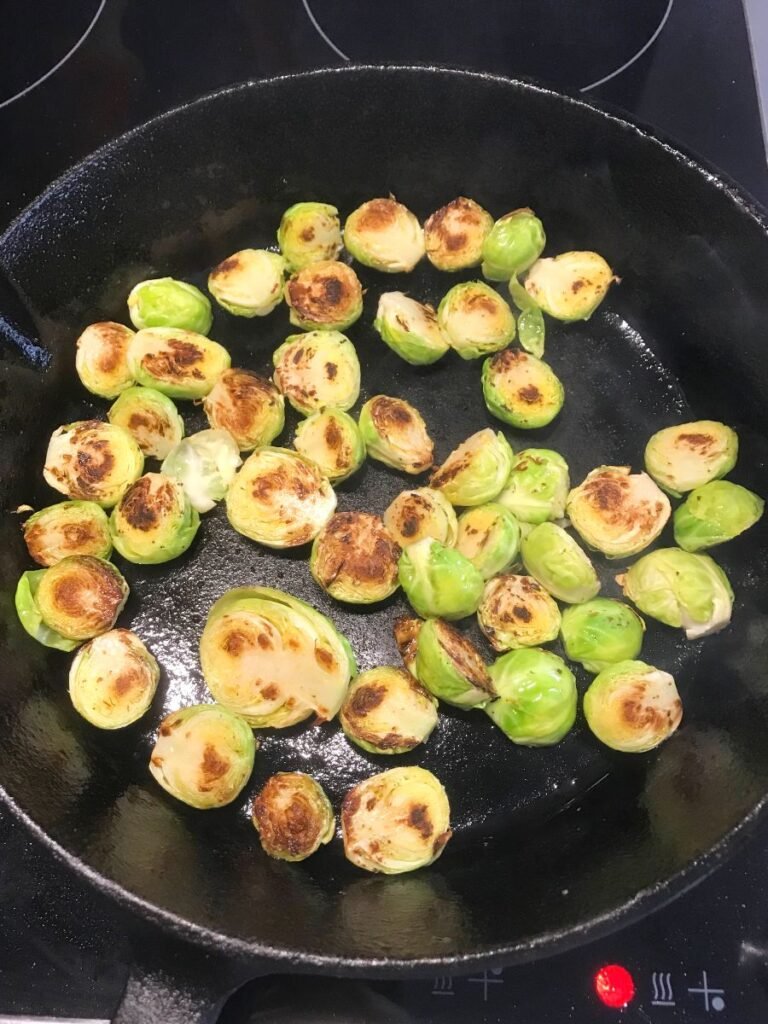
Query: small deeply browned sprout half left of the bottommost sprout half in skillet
(293,817)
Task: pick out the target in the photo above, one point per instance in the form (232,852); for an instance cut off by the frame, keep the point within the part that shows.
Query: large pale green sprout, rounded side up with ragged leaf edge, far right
(680,589)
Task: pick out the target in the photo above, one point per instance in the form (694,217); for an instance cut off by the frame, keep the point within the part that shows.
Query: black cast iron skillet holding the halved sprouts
(552,847)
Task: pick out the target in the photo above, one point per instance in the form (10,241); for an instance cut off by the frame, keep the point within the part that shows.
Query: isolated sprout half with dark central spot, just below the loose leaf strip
(522,391)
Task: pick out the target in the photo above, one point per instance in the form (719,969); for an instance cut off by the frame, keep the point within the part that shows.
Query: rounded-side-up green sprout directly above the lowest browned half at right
(602,632)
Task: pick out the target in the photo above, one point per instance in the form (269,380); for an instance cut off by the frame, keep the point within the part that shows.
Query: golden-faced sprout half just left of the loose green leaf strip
(476,320)
